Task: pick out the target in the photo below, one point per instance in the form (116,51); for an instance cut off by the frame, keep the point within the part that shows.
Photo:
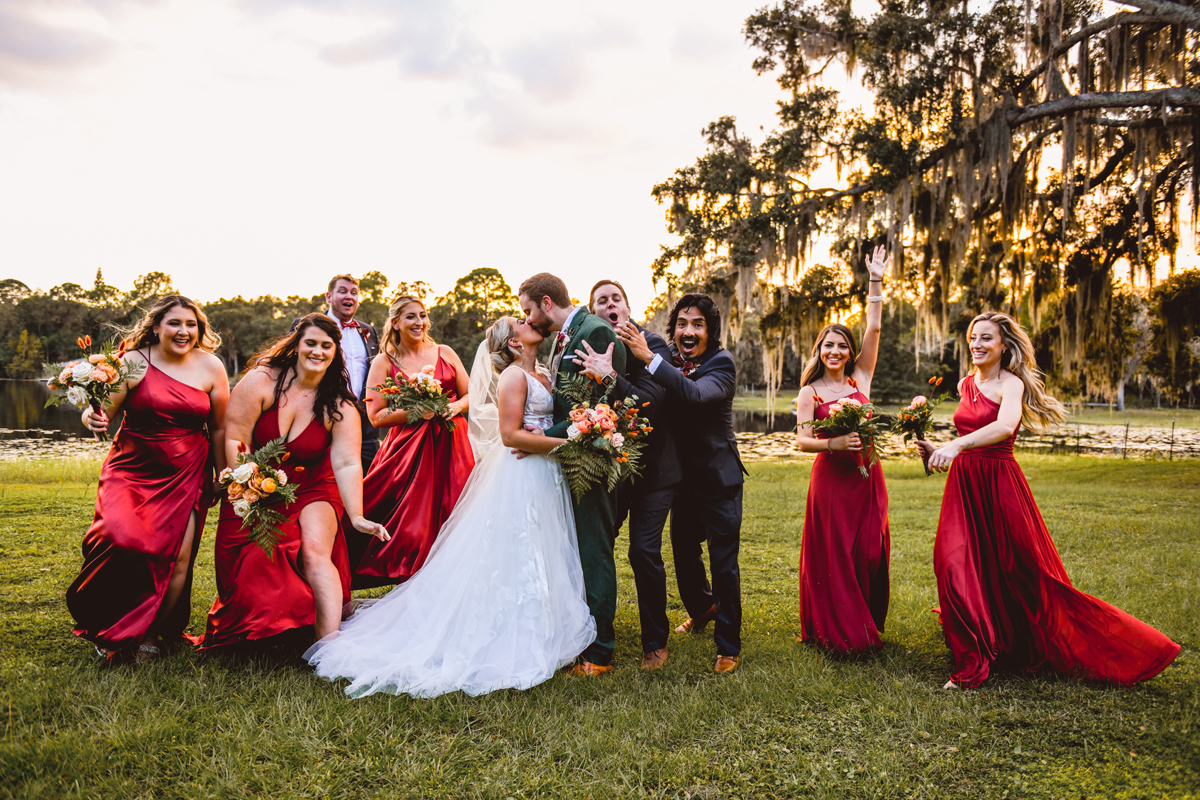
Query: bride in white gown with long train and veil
(500,603)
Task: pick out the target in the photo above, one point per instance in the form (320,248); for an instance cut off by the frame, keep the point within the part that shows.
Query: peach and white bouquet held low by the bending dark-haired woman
(256,486)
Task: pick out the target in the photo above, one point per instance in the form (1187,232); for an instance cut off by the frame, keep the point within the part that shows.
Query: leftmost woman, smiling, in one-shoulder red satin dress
(134,593)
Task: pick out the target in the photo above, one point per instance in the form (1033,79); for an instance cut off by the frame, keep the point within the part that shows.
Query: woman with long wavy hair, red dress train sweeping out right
(1006,600)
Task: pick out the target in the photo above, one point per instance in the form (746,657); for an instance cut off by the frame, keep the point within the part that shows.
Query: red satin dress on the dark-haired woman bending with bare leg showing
(260,597)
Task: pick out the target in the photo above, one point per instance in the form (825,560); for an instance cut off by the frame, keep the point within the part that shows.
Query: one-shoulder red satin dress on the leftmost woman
(157,477)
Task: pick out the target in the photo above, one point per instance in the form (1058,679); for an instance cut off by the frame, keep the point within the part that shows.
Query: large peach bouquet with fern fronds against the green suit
(604,442)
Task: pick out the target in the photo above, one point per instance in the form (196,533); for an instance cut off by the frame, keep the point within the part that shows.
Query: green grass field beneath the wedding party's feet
(791,723)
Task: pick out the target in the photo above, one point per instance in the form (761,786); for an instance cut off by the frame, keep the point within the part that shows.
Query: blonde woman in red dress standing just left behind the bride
(423,467)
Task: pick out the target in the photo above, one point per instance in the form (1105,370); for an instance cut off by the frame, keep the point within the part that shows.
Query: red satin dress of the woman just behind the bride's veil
(412,488)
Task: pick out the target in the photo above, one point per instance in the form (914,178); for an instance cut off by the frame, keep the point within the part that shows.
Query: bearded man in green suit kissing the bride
(548,308)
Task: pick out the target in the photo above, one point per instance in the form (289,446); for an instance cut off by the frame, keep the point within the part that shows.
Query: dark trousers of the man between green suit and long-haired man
(647,518)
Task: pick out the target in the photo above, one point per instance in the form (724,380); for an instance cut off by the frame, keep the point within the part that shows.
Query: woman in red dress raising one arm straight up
(847,544)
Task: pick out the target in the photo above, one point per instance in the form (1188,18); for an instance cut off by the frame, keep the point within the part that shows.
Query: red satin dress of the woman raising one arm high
(845,551)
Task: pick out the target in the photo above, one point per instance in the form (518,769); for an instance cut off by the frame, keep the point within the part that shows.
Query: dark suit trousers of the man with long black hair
(713,516)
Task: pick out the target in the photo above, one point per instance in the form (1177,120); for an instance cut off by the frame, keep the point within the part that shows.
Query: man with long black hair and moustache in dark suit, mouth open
(701,378)
